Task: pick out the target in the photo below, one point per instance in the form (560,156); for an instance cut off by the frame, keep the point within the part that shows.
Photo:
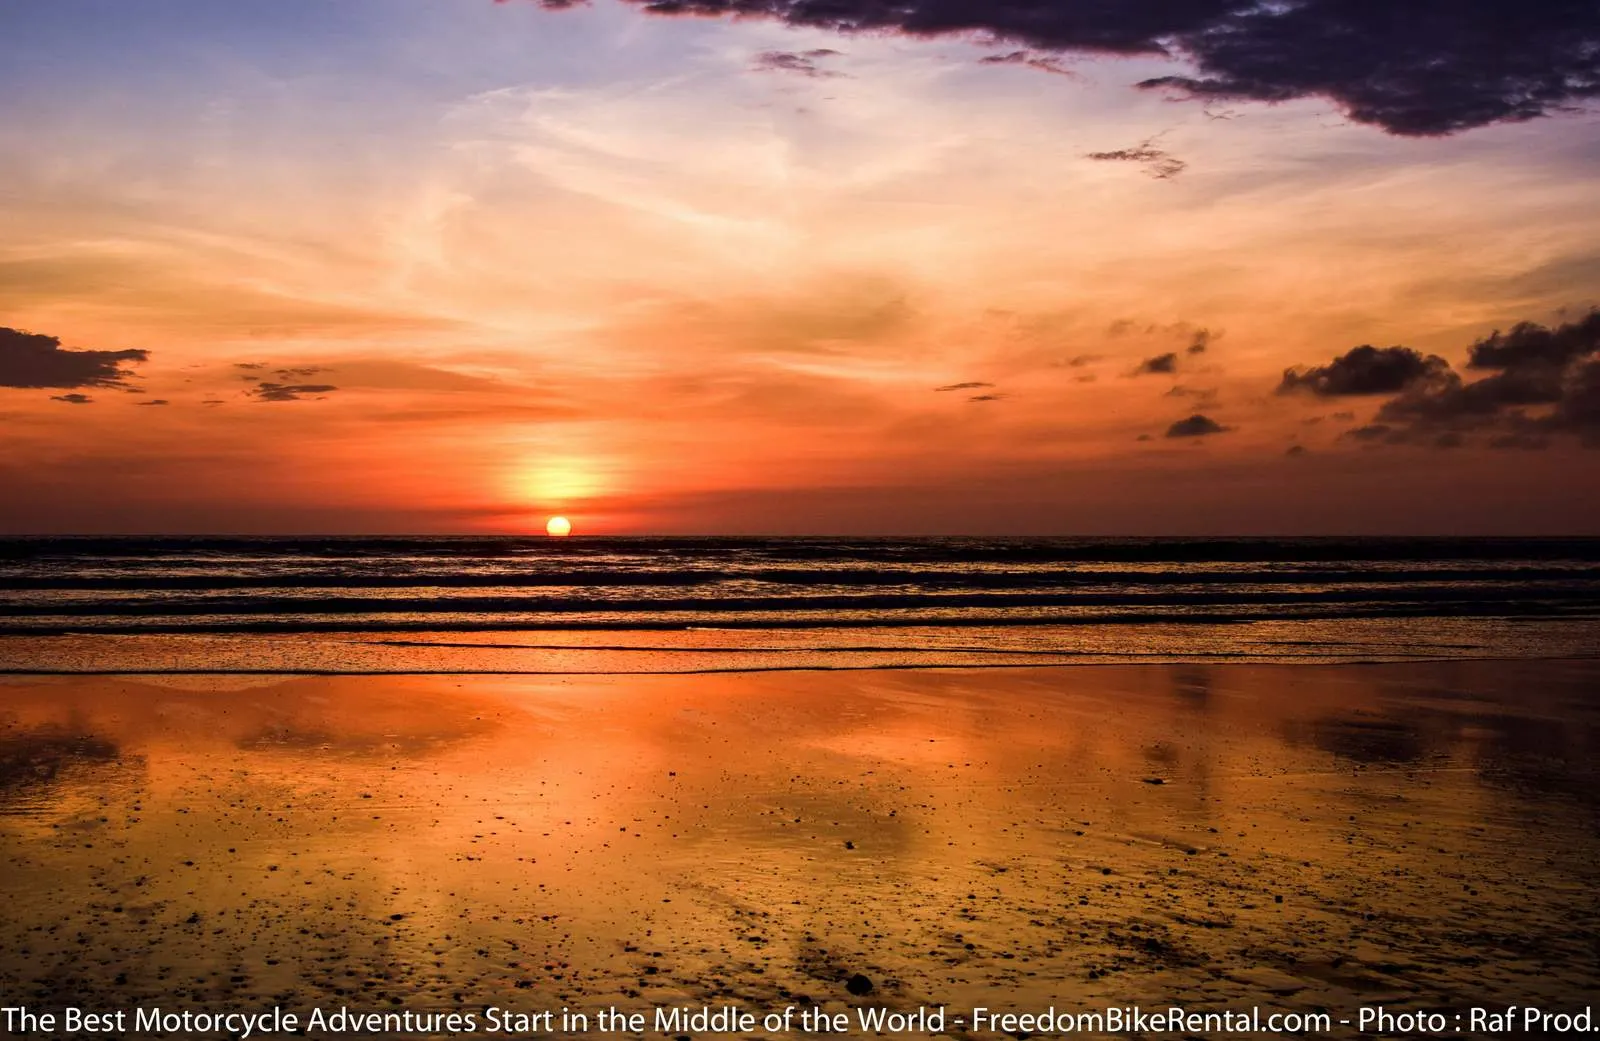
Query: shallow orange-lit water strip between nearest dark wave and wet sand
(713,652)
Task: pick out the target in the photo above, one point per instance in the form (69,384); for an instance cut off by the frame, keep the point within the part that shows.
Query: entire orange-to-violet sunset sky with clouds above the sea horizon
(799,268)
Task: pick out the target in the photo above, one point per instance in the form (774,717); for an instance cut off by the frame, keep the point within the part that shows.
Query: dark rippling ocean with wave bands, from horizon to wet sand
(377,605)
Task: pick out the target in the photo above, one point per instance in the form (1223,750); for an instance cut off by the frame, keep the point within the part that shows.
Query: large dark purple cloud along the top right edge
(1415,70)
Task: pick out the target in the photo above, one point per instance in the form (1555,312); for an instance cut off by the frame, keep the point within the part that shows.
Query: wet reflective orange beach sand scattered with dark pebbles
(1422,836)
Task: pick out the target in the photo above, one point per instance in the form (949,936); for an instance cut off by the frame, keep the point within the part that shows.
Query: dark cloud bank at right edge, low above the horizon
(1542,383)
